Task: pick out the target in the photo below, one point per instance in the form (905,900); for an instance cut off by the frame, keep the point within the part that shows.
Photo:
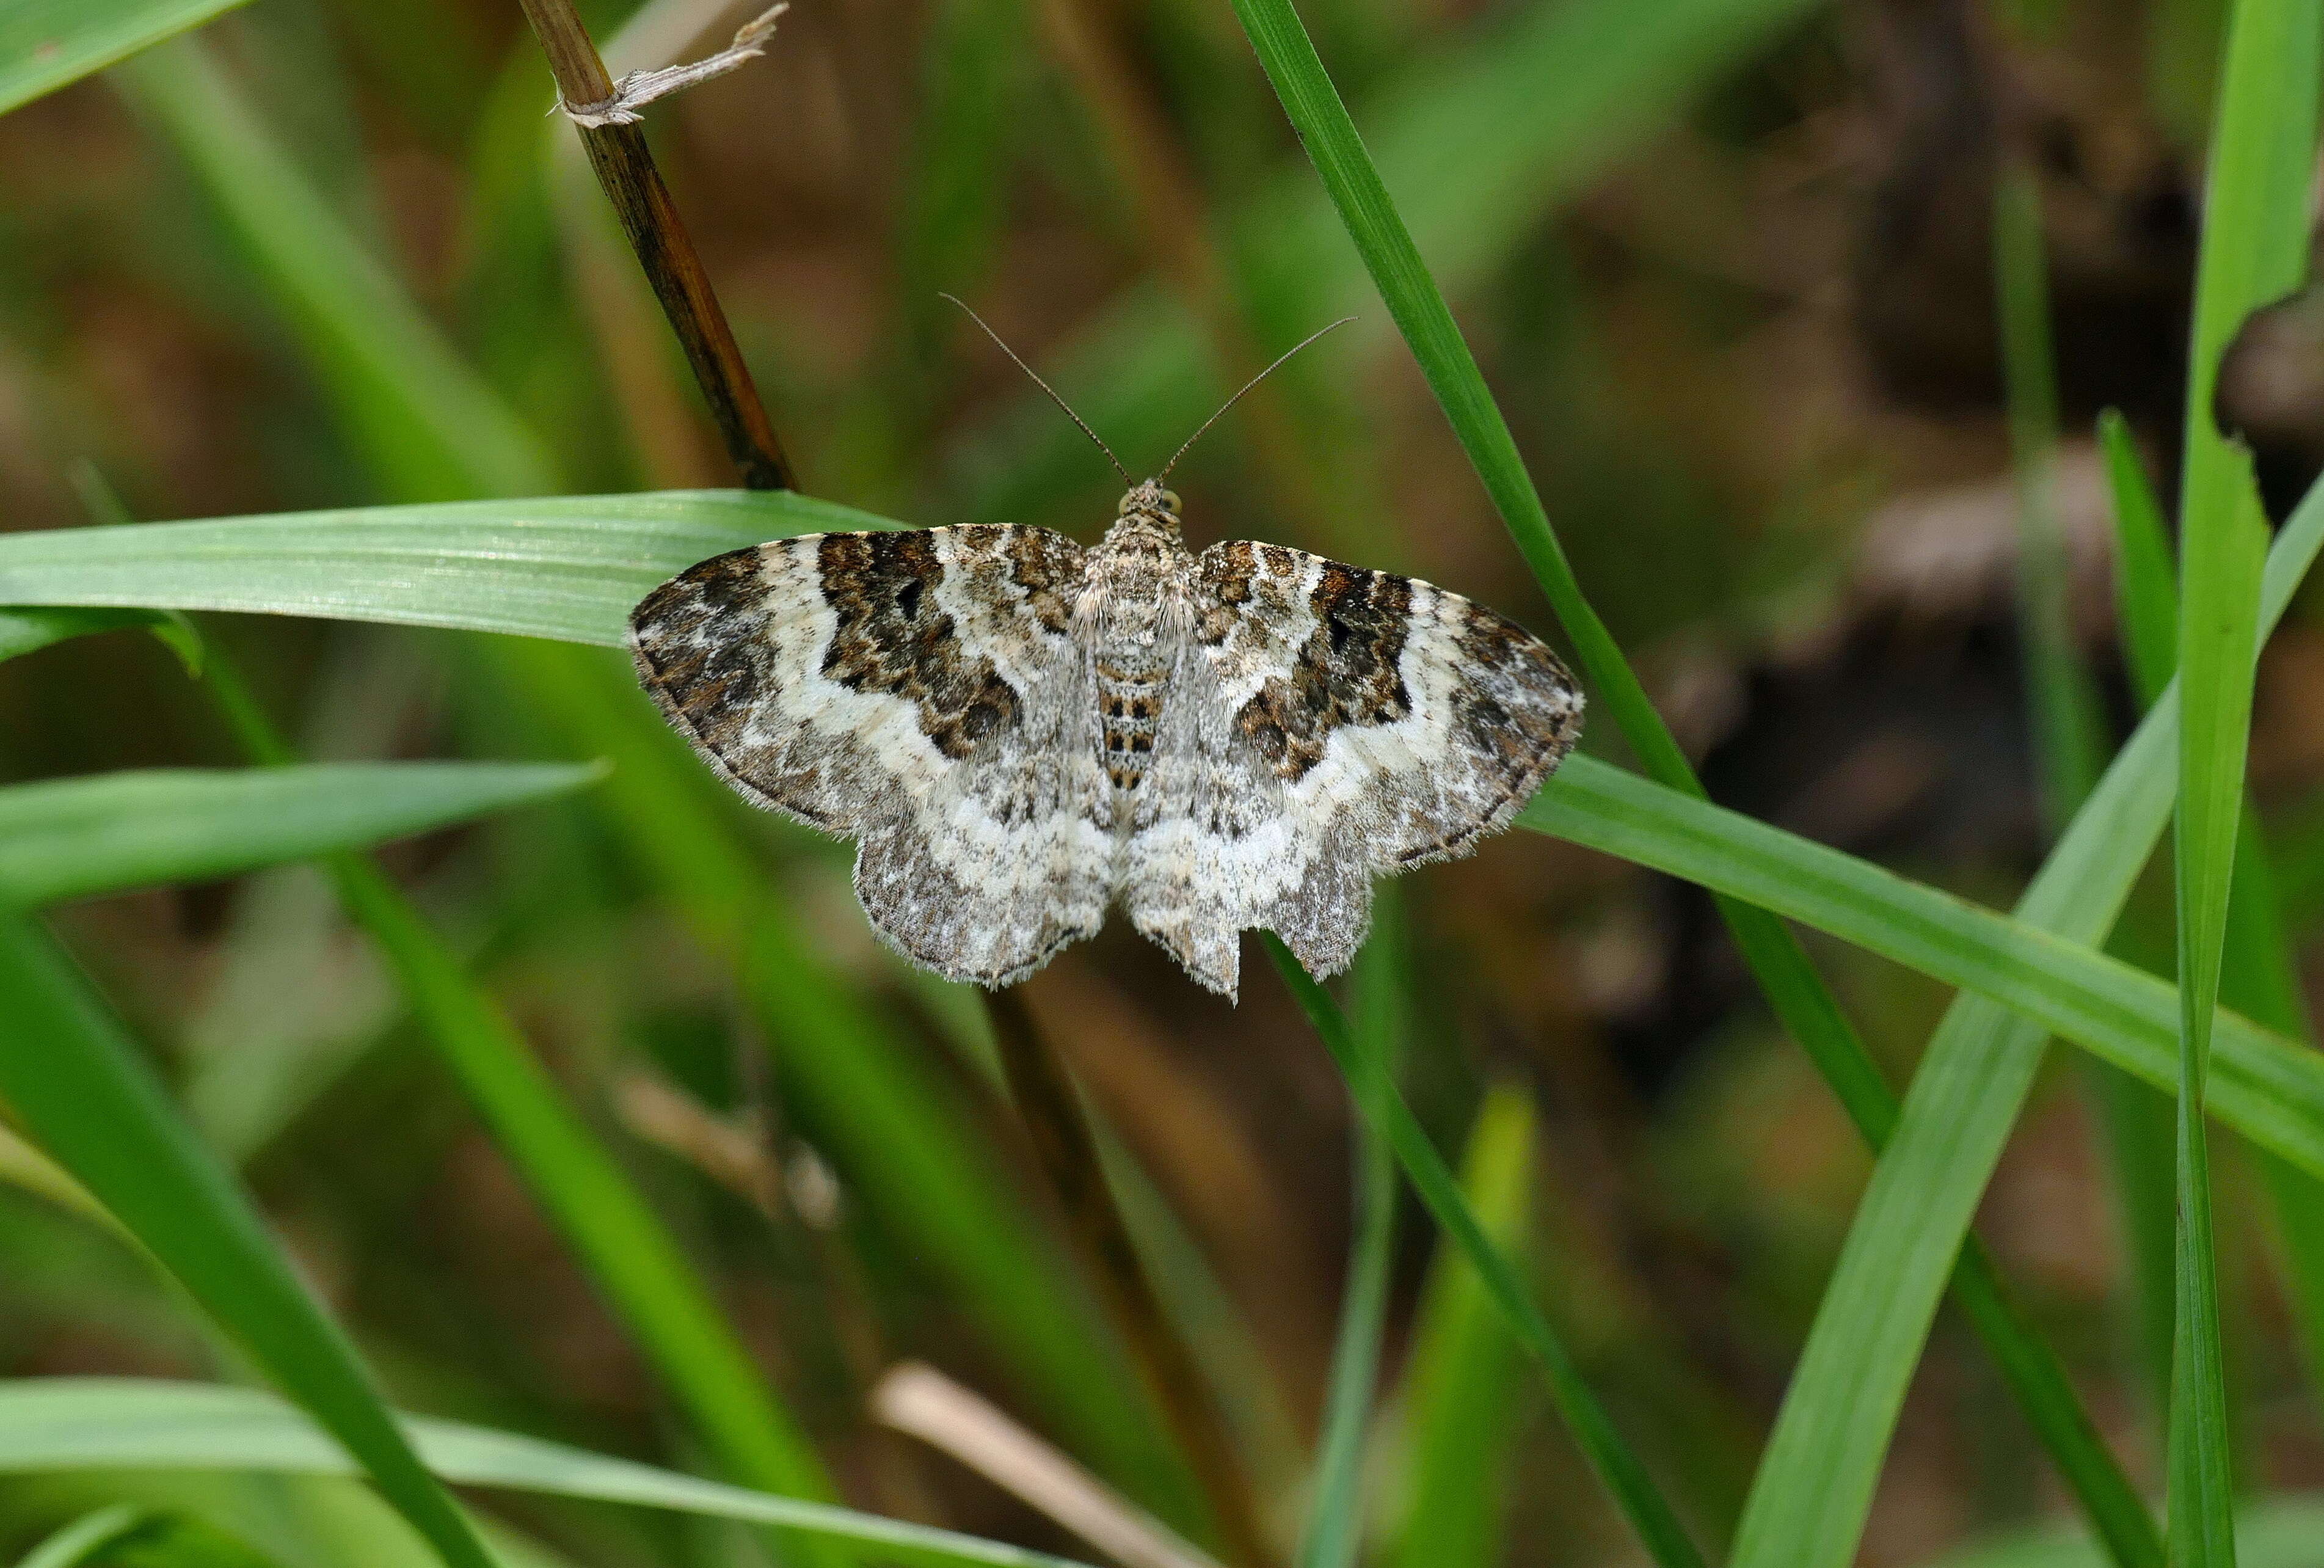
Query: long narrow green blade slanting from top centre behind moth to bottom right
(1800,998)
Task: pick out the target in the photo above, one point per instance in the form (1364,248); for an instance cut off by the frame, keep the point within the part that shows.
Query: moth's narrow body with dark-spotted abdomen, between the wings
(1138,605)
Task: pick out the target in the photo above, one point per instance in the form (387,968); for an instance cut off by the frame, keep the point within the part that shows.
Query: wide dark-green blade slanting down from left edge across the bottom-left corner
(83,1091)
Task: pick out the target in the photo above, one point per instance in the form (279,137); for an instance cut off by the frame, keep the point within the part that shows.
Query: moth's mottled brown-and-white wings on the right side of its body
(1328,726)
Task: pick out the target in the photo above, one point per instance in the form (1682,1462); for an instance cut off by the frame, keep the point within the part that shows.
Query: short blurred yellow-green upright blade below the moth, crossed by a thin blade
(1461,1397)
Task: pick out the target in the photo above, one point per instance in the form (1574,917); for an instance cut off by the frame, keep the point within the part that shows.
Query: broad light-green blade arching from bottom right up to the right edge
(1826,1455)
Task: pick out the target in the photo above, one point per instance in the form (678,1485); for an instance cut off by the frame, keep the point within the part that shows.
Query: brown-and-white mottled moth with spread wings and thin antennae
(1024,733)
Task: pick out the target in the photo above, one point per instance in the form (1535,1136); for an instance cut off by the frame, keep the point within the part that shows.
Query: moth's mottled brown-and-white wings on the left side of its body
(924,693)
